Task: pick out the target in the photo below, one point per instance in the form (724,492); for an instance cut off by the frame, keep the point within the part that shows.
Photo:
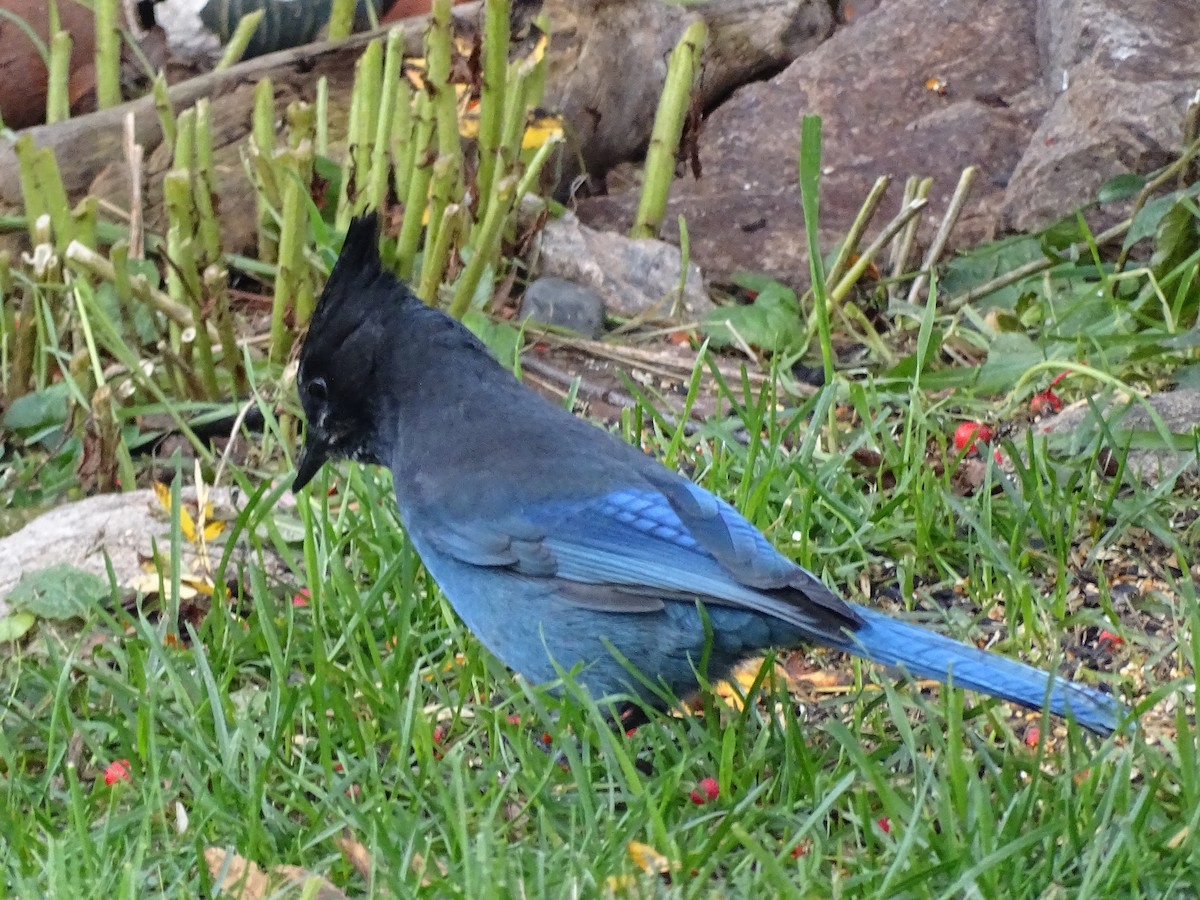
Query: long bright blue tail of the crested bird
(927,655)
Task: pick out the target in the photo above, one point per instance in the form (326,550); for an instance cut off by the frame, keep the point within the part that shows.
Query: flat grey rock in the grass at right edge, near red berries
(1130,423)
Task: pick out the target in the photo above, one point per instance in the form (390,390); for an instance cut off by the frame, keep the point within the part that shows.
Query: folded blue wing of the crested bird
(634,549)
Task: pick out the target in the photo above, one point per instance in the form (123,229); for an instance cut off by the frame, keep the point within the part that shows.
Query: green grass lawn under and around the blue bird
(275,728)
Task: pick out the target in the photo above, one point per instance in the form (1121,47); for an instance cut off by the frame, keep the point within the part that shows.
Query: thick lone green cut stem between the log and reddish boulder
(661,158)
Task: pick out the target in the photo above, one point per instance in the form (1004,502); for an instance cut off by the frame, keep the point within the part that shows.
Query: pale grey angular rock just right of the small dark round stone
(634,277)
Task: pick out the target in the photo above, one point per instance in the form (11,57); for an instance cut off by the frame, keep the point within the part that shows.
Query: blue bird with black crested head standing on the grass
(565,549)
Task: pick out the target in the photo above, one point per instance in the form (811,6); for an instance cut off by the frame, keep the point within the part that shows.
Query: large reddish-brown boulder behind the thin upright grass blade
(879,119)
